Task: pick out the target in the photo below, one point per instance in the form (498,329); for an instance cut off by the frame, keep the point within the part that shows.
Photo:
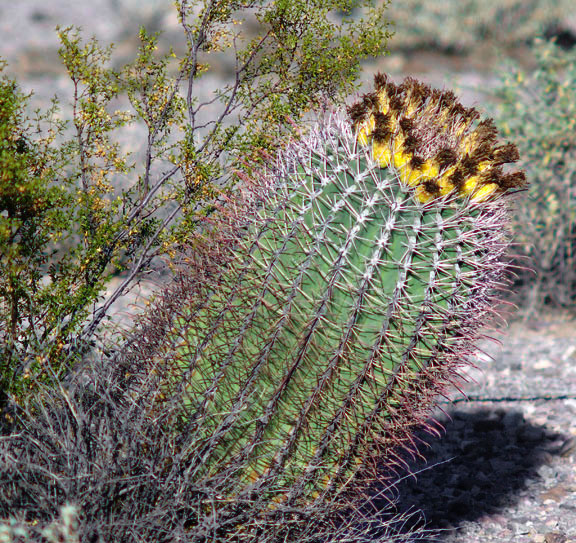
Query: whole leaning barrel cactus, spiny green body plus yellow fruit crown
(320,311)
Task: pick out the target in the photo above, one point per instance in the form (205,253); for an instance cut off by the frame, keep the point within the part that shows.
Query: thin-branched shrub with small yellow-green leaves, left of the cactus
(76,208)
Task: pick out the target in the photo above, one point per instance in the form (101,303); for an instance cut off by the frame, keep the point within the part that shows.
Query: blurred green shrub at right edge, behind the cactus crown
(537,110)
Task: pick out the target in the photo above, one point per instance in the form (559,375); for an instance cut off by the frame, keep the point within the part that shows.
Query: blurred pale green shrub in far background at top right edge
(462,25)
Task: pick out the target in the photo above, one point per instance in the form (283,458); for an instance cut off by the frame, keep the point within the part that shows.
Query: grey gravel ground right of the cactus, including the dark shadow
(504,467)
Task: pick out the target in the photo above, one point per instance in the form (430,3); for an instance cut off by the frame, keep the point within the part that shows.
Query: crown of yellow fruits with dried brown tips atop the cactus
(437,144)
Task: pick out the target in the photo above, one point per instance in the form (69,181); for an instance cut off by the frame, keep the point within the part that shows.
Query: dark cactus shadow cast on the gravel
(480,464)
